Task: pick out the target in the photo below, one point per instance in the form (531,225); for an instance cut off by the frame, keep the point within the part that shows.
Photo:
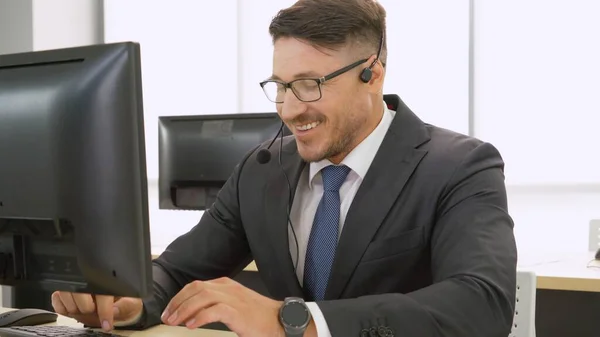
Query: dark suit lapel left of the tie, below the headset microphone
(276,210)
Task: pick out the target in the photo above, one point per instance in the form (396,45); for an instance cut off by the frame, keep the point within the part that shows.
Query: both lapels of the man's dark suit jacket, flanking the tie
(396,159)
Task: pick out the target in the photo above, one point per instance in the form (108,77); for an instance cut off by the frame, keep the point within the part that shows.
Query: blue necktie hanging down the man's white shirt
(324,233)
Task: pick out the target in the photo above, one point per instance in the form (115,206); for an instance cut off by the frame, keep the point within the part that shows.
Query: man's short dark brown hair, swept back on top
(332,24)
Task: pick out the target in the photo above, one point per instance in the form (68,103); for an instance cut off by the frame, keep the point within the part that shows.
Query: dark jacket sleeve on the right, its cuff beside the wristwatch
(474,261)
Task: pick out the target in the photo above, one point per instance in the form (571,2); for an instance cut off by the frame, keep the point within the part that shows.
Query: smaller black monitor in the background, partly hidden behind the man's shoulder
(197,154)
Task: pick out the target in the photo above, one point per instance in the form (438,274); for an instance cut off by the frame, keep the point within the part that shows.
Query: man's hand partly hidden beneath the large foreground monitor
(96,310)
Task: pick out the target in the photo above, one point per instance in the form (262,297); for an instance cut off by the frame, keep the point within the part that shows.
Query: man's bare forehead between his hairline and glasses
(293,58)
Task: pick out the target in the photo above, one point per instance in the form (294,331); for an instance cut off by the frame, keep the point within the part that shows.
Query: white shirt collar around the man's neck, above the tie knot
(360,158)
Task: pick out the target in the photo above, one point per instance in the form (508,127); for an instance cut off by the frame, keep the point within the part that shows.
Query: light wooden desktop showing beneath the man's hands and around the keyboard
(157,331)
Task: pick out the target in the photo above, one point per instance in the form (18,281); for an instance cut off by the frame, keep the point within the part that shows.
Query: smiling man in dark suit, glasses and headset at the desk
(385,225)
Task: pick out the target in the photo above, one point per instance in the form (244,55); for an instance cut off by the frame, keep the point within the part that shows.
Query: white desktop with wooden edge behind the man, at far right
(567,271)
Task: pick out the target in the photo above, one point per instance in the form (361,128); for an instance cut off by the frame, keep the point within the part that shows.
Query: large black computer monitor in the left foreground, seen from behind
(73,189)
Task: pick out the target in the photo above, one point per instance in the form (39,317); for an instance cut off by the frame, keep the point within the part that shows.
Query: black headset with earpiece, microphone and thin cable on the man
(264,155)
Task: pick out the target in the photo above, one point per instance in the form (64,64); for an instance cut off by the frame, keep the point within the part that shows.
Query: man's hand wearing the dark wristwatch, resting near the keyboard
(245,312)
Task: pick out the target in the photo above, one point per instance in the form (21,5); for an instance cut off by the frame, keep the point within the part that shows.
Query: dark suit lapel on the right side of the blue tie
(391,168)
